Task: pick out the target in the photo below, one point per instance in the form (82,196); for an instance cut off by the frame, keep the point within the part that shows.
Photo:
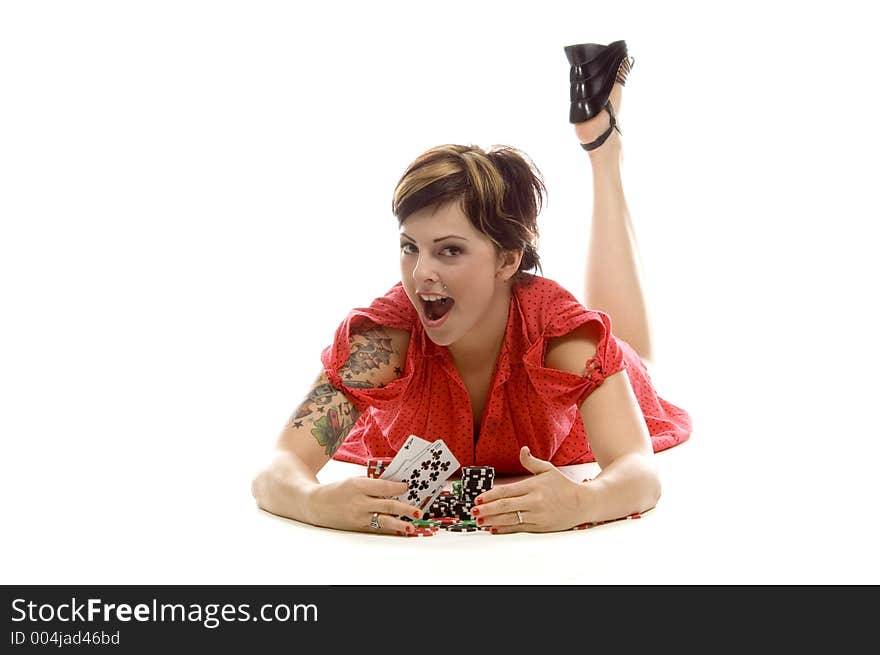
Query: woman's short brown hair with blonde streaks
(501,192)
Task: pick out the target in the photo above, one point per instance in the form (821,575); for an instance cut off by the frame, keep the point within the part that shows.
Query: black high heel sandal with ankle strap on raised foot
(594,70)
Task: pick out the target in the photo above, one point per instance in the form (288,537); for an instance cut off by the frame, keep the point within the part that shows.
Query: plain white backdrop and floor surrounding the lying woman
(194,194)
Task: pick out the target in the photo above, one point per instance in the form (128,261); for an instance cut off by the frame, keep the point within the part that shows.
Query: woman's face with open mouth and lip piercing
(441,247)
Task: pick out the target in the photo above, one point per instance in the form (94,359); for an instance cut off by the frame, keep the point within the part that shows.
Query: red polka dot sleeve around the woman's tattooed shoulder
(391,310)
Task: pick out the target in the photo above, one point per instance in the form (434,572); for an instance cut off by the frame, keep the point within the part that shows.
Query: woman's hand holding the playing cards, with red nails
(349,505)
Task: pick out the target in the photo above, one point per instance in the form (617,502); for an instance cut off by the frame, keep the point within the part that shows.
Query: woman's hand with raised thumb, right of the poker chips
(547,502)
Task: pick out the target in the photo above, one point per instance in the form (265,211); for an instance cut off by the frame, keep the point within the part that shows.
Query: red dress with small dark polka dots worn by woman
(527,404)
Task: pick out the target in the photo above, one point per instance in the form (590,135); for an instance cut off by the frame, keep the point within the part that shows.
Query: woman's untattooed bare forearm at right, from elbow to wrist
(628,485)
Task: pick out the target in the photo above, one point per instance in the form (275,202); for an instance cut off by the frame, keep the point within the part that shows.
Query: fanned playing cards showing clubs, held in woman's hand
(425,467)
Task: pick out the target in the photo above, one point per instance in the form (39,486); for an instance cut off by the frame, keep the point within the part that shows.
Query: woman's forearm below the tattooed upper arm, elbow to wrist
(284,487)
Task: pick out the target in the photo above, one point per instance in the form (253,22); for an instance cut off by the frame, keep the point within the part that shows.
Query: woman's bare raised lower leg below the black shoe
(613,271)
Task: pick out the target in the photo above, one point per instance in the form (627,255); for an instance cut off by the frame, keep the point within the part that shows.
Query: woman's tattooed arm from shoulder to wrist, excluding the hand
(288,485)
